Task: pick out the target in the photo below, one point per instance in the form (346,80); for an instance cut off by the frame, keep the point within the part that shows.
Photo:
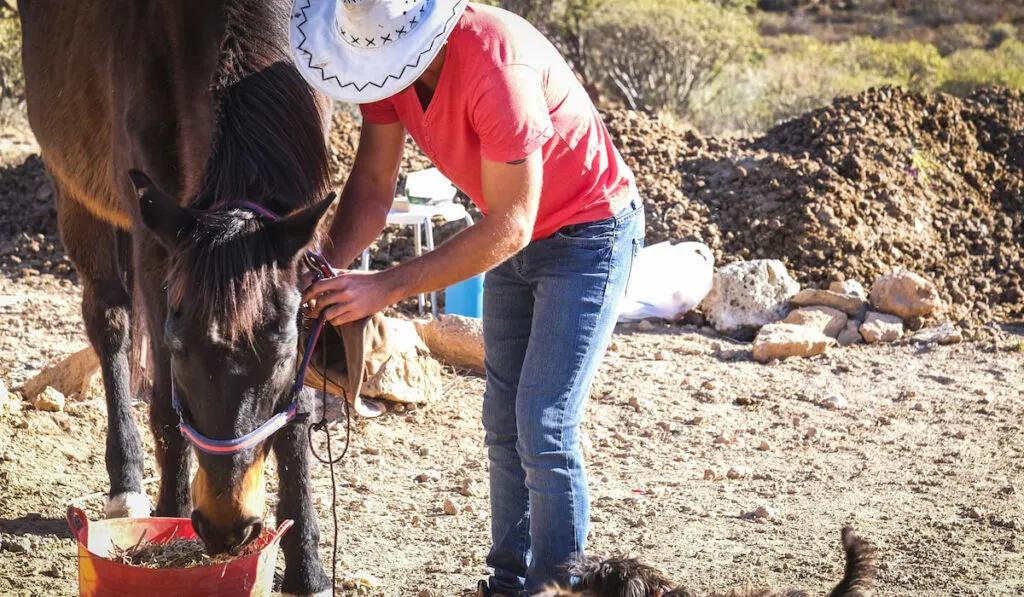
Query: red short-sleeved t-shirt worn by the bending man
(504,94)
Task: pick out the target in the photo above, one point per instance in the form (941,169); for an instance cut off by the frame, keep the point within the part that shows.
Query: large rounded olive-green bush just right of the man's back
(665,55)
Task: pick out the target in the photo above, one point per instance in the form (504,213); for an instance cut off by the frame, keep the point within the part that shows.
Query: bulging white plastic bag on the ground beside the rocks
(668,281)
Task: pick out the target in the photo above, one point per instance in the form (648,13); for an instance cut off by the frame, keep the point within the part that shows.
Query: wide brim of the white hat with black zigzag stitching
(358,75)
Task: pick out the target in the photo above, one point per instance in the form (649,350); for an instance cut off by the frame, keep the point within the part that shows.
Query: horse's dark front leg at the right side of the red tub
(305,574)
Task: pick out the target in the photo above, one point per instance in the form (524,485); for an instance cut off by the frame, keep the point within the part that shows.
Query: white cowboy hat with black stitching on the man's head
(366,51)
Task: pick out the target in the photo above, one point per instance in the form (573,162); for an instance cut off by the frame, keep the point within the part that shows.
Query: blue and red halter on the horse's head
(322,270)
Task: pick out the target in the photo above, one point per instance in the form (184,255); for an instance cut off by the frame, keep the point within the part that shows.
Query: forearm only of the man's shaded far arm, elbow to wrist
(361,218)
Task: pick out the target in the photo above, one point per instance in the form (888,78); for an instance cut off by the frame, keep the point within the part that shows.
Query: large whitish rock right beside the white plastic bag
(749,294)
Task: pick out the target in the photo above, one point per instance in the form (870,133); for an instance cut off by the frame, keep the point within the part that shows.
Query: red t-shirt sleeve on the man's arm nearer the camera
(510,114)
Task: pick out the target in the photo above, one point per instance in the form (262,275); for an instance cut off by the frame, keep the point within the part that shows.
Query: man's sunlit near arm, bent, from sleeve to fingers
(513,193)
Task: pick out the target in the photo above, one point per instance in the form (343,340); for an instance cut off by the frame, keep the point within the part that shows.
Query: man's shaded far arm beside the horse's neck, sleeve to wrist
(369,193)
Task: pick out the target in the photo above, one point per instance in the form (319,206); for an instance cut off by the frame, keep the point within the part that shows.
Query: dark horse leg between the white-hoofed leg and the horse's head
(173,452)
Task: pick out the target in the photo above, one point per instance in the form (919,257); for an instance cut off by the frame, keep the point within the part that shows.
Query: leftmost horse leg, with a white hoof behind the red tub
(95,247)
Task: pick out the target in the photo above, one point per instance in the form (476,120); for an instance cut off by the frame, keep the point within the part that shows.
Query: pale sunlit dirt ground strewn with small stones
(925,456)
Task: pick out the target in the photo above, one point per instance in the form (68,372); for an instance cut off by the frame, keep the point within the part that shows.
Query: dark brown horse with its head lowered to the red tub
(157,120)
